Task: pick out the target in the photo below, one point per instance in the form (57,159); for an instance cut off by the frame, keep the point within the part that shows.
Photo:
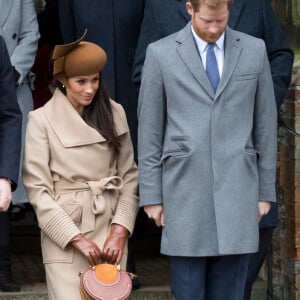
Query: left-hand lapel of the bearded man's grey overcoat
(188,52)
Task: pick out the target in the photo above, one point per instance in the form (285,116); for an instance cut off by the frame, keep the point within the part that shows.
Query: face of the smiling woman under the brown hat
(81,90)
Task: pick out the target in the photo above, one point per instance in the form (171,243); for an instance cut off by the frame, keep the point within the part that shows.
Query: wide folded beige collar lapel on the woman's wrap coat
(68,125)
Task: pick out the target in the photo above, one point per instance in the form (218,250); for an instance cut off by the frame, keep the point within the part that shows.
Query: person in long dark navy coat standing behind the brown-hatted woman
(115,26)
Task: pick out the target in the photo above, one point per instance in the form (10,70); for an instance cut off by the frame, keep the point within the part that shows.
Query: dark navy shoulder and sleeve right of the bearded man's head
(257,18)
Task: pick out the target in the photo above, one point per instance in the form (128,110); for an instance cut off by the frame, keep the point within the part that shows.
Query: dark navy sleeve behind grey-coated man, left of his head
(150,32)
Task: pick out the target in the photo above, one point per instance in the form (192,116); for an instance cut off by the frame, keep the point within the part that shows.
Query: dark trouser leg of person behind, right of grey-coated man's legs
(256,259)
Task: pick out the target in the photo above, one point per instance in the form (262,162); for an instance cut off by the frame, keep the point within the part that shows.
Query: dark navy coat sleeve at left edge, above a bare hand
(10,120)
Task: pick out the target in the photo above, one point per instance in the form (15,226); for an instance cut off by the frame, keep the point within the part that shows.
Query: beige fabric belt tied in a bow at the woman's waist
(98,204)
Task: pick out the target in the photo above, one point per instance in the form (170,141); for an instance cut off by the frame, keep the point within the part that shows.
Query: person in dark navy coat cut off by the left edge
(10,145)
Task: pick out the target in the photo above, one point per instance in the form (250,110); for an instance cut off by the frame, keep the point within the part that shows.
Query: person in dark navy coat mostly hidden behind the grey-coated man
(255,17)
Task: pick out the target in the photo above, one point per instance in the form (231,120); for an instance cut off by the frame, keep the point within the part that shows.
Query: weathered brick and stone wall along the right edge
(286,260)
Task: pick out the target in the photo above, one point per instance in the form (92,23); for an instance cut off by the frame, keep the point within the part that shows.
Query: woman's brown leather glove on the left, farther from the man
(88,248)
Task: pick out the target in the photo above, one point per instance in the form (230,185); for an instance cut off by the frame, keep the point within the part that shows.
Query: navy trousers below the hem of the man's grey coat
(209,278)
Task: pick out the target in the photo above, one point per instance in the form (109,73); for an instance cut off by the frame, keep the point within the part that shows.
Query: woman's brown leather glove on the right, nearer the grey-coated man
(115,243)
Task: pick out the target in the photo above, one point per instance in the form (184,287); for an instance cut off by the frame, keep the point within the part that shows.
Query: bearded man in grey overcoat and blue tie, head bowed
(207,150)
